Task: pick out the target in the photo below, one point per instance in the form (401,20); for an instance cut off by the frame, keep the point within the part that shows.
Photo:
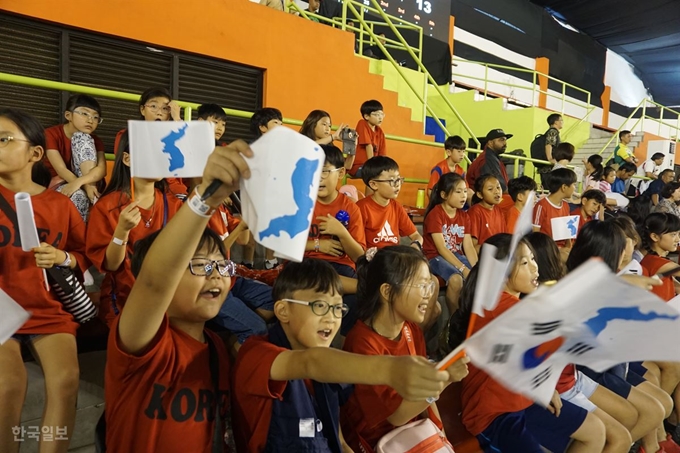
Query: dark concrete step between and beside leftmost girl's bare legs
(90,403)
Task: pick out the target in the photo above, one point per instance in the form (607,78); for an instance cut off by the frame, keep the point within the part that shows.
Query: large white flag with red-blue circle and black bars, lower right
(590,317)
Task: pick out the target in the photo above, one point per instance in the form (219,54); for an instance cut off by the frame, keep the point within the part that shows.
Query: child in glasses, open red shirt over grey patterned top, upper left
(75,156)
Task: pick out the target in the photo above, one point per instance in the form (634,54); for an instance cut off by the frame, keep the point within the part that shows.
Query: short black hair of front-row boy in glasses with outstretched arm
(310,274)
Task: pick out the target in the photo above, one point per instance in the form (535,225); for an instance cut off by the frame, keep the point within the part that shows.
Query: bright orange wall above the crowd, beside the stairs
(308,65)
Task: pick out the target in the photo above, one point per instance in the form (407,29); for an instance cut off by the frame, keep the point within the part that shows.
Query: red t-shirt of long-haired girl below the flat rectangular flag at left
(102,224)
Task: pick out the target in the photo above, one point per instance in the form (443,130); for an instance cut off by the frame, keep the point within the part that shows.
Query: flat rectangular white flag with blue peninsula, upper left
(170,149)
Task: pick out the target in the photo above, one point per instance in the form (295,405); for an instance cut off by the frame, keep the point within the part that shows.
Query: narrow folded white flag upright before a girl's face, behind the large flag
(489,285)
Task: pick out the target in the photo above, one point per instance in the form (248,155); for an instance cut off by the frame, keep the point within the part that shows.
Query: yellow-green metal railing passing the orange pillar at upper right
(535,88)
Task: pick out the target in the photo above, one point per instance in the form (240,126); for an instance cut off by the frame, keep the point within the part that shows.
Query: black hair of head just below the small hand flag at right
(605,240)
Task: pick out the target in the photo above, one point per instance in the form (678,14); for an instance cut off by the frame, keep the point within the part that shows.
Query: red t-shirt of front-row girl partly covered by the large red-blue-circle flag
(483,398)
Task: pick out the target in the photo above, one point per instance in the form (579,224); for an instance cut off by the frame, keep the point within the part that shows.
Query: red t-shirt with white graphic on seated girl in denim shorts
(452,228)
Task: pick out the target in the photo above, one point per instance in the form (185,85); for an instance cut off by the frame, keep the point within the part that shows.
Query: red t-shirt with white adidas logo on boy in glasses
(384,225)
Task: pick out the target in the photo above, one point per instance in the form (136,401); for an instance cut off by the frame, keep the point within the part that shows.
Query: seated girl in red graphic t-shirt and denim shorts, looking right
(447,242)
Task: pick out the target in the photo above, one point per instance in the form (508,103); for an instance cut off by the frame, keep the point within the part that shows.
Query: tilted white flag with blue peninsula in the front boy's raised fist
(278,199)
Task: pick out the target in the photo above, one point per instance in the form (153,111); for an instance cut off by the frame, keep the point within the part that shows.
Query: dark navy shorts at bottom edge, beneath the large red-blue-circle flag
(526,431)
